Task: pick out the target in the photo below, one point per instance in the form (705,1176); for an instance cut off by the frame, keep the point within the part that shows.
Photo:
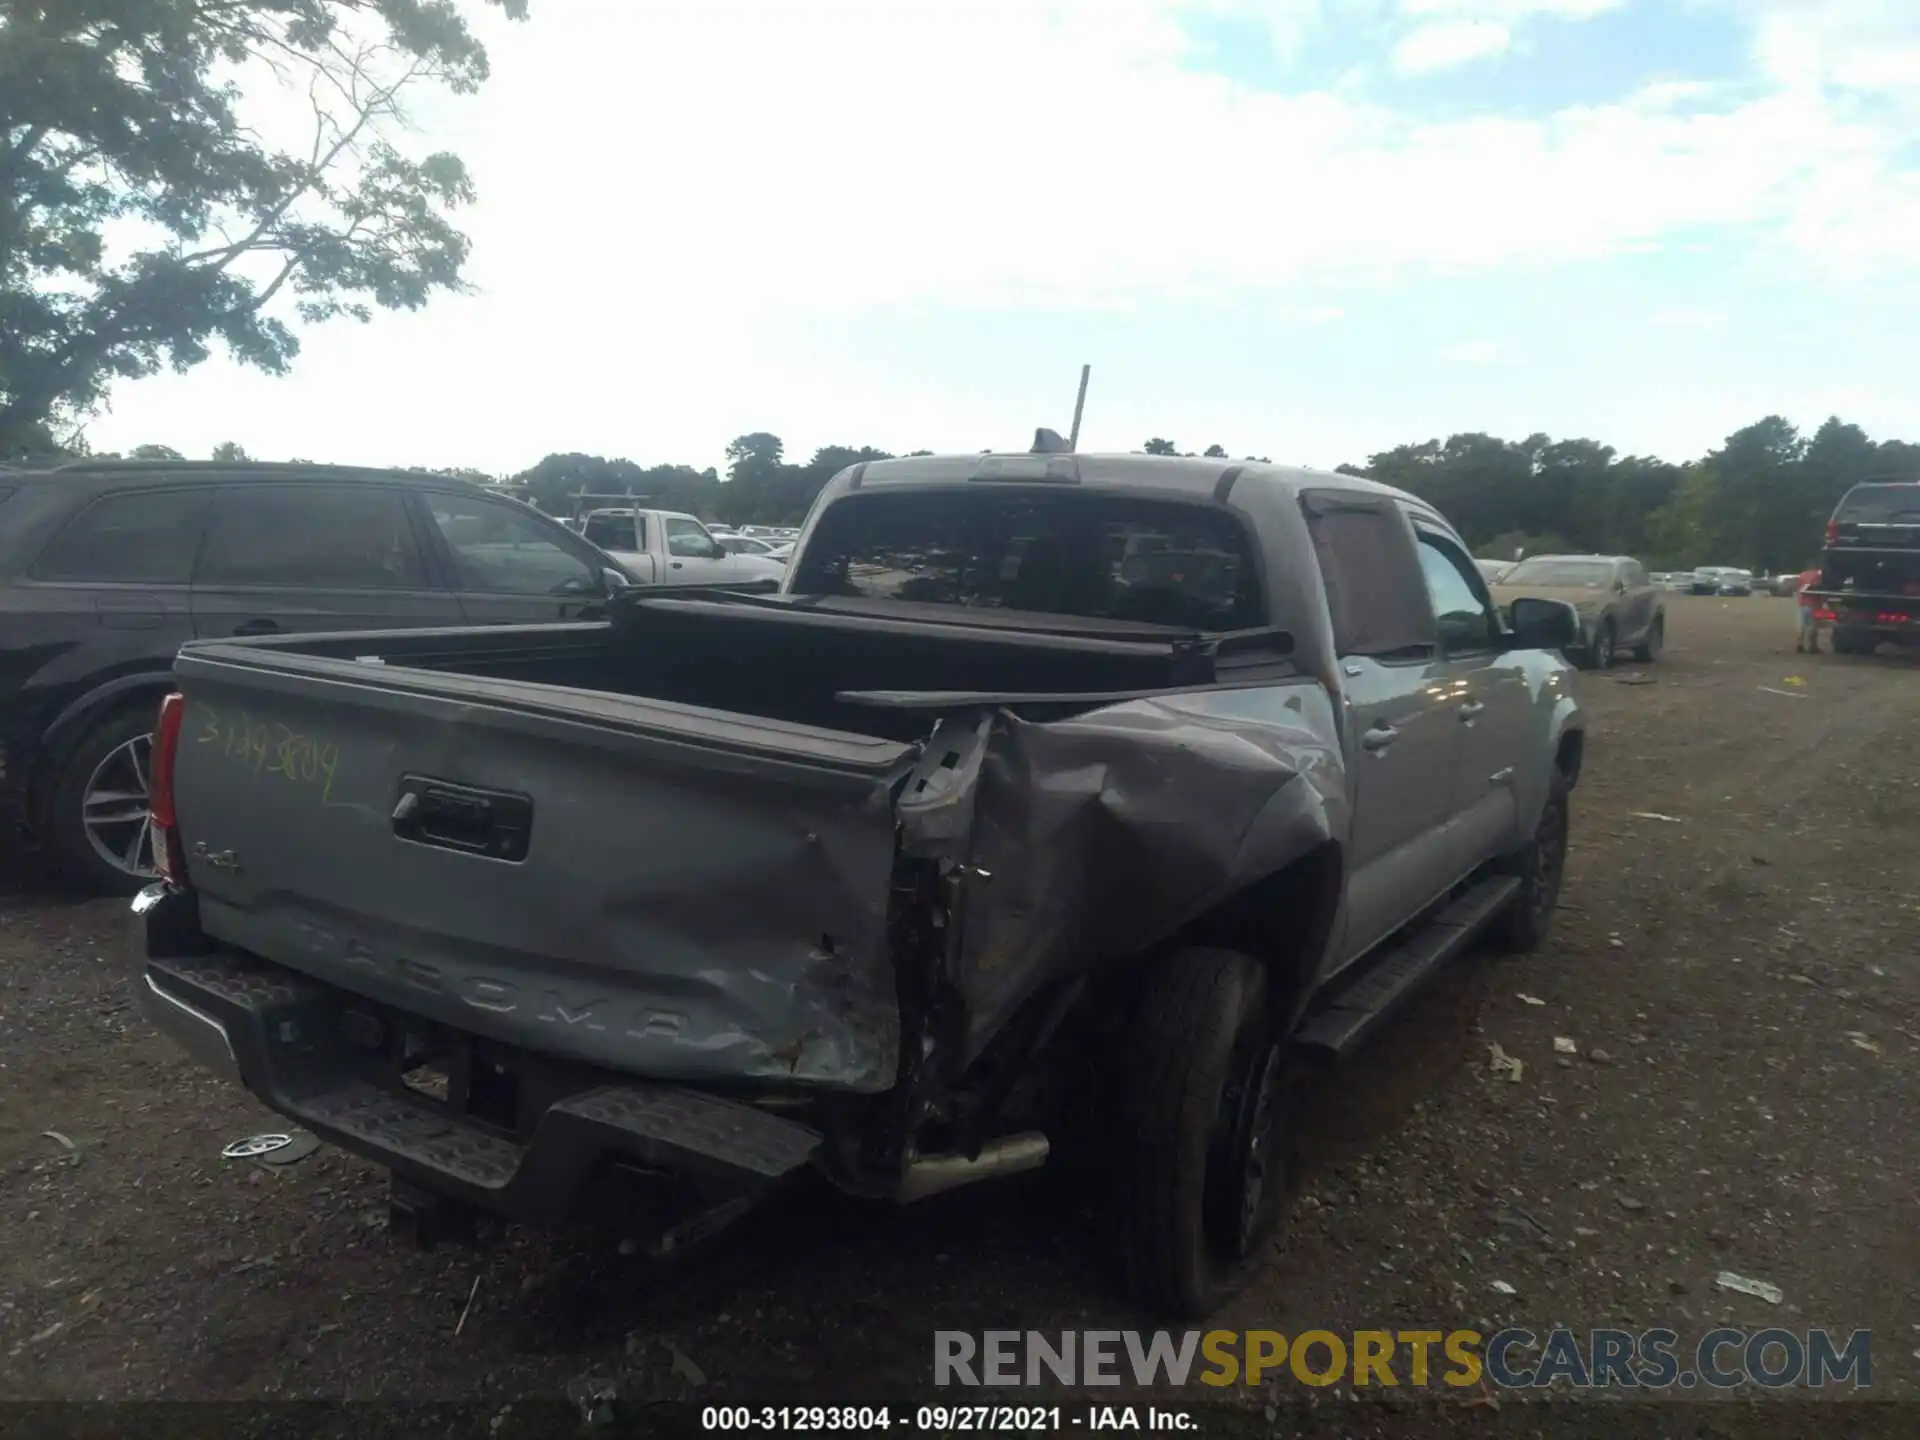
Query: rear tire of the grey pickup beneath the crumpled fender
(1205,1101)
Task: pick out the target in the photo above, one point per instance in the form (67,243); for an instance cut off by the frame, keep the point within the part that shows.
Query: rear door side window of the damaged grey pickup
(1372,577)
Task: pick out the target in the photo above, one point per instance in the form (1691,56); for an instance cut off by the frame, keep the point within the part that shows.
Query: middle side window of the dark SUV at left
(341,537)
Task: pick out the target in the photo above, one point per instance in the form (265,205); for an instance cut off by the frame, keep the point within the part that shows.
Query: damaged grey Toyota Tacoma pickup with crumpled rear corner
(1053,802)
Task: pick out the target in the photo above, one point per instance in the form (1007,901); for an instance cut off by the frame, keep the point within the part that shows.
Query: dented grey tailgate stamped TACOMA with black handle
(671,892)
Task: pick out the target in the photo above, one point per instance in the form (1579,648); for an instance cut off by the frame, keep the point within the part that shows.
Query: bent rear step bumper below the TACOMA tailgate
(293,1044)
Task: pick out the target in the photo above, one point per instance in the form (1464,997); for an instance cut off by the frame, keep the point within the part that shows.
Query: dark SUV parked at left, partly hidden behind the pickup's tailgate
(108,567)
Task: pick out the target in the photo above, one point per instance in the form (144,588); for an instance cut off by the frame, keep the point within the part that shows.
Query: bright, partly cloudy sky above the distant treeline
(1301,229)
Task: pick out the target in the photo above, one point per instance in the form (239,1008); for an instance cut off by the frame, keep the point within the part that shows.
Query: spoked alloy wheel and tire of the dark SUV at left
(97,805)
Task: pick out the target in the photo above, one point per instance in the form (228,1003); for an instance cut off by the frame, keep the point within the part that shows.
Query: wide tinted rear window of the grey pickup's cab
(1101,558)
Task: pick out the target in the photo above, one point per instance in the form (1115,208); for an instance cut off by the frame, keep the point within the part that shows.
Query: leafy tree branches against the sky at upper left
(143,220)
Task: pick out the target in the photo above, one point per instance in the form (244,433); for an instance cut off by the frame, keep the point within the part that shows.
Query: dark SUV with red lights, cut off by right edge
(1871,569)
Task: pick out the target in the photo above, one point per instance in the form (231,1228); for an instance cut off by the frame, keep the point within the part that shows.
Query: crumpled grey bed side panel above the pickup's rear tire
(1105,834)
